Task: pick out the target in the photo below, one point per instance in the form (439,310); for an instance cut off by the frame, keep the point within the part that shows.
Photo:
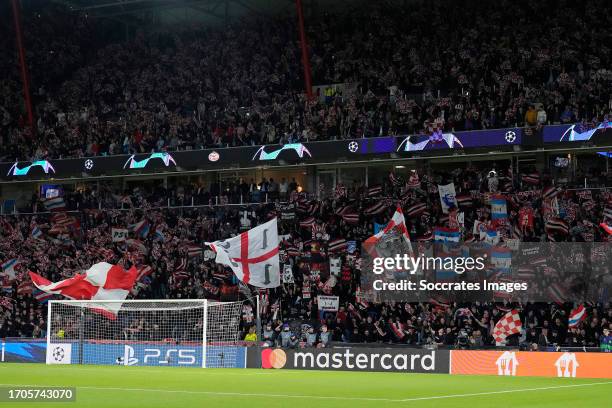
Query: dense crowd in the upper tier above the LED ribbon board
(447,64)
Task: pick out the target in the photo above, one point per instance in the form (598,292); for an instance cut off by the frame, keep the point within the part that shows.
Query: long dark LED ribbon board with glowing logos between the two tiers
(292,153)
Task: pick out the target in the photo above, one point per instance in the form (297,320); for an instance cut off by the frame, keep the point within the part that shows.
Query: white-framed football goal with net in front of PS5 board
(196,333)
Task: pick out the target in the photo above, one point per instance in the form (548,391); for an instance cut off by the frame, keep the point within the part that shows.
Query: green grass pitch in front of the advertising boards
(103,386)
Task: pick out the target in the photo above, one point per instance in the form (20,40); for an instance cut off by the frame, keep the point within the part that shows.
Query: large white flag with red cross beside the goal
(252,255)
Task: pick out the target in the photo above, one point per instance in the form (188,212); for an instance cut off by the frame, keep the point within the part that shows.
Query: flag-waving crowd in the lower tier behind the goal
(320,254)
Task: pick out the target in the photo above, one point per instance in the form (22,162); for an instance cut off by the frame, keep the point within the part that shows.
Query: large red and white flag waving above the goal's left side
(102,281)
